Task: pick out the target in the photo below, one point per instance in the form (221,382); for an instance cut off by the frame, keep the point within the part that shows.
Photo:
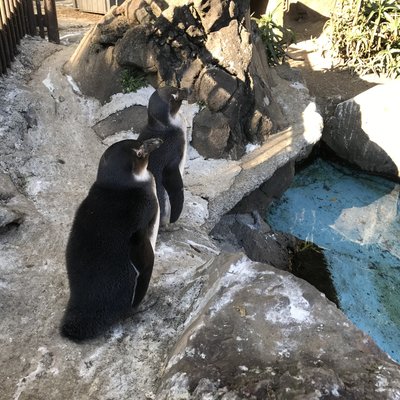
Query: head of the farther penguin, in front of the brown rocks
(164,105)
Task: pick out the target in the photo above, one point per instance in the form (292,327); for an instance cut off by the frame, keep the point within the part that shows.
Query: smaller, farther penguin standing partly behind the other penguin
(168,161)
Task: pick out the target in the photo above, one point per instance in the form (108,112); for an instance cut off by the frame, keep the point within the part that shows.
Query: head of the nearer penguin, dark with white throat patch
(125,163)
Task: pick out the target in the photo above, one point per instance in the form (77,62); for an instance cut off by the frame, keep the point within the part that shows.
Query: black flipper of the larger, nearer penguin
(142,260)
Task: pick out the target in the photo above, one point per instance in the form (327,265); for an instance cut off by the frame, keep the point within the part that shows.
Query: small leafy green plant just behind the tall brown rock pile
(276,38)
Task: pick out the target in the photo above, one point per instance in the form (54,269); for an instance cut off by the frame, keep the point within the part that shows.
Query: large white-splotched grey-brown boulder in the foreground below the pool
(256,332)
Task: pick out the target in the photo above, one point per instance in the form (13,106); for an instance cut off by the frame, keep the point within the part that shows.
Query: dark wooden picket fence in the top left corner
(24,17)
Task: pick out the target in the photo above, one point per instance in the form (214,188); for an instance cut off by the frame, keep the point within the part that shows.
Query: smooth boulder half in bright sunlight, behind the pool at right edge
(362,131)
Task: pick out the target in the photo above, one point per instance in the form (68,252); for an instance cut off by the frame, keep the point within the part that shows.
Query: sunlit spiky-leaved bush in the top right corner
(365,35)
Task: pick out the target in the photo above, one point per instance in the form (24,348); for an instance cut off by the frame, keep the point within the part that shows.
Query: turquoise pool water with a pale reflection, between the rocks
(355,218)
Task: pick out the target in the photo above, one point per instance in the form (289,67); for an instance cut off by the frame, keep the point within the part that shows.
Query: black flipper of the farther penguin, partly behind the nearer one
(173,184)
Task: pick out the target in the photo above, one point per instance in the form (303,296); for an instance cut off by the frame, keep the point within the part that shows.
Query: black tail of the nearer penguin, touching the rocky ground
(78,326)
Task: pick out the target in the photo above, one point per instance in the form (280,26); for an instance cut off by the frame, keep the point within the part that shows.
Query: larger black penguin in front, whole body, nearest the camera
(110,250)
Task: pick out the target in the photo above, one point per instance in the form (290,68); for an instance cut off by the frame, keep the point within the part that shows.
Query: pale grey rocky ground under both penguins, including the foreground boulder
(213,325)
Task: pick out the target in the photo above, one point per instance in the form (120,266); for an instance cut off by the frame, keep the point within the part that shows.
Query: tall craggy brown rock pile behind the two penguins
(210,46)
